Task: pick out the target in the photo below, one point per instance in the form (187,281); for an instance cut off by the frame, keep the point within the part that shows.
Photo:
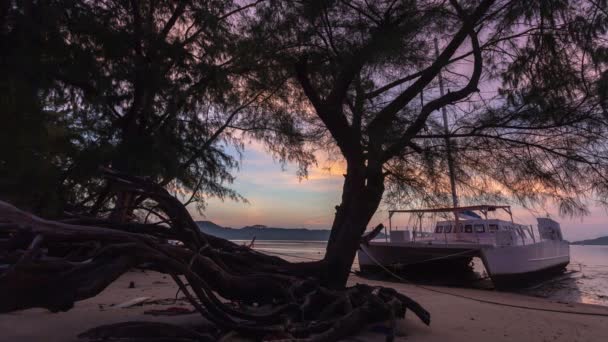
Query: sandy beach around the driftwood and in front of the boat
(454,318)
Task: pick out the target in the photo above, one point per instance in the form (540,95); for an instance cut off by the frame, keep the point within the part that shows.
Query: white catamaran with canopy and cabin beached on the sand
(513,254)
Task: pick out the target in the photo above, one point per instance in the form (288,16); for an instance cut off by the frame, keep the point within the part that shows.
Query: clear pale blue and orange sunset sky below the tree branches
(278,198)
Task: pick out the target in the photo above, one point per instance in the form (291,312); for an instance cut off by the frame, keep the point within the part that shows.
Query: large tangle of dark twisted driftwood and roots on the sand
(53,264)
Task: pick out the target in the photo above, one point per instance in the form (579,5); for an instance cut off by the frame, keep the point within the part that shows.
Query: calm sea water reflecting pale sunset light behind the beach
(584,281)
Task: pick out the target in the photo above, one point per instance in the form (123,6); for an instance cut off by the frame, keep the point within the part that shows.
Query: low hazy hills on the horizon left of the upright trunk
(261,232)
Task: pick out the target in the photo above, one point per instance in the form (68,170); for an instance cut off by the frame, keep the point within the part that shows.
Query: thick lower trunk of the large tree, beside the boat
(362,193)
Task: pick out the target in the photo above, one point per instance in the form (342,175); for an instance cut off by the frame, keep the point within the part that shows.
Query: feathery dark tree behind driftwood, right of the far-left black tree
(154,75)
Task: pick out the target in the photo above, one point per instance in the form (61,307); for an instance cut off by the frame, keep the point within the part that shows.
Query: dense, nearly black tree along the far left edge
(35,143)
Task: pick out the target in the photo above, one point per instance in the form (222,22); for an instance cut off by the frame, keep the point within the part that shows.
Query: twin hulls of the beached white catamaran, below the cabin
(508,267)
